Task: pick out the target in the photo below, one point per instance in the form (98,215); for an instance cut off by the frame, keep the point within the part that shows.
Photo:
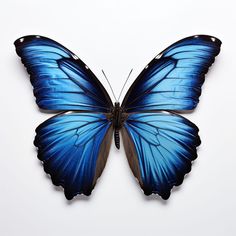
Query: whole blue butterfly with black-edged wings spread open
(159,143)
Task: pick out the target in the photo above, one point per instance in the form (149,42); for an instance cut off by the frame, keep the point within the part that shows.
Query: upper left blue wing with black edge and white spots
(61,81)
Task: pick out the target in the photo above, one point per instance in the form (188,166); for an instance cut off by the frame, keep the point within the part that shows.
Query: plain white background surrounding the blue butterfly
(117,36)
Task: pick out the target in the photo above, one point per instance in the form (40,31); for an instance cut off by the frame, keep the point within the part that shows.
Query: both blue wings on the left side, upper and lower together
(73,146)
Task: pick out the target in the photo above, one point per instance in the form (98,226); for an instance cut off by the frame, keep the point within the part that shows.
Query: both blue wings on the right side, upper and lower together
(160,146)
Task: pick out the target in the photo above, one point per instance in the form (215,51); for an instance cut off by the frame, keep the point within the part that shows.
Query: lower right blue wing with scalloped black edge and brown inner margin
(160,147)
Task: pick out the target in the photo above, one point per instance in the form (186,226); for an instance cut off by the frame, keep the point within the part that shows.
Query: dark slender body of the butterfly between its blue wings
(117,121)
